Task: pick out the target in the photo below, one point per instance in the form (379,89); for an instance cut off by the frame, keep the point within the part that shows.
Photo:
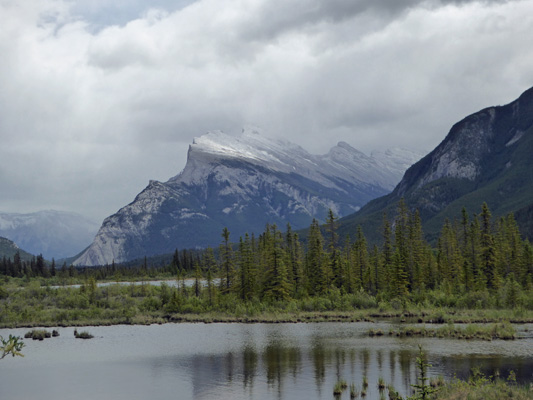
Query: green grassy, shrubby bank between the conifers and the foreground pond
(29,304)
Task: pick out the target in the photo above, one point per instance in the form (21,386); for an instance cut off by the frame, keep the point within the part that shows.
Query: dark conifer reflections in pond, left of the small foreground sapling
(285,369)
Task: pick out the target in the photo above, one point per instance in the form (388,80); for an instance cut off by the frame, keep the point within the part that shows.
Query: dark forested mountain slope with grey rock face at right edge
(486,157)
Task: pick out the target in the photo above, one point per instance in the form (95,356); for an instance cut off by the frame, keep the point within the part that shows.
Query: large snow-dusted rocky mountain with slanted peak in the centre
(242,183)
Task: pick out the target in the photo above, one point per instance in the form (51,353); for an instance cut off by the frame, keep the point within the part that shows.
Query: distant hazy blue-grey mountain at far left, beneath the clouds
(54,234)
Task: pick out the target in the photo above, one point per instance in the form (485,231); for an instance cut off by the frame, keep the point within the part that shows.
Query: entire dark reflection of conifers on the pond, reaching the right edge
(281,369)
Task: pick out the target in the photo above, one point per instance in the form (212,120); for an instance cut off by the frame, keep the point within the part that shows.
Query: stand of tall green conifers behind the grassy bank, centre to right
(474,254)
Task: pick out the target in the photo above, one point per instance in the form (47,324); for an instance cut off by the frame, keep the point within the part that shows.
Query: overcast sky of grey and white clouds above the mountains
(97,97)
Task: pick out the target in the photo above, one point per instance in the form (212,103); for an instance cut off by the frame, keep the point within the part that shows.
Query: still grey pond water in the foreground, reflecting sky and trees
(241,361)
